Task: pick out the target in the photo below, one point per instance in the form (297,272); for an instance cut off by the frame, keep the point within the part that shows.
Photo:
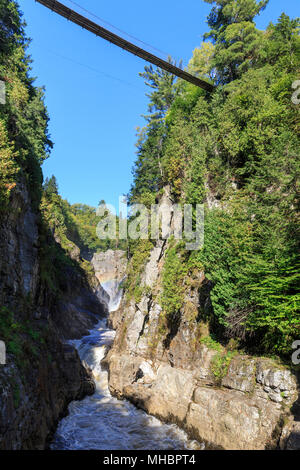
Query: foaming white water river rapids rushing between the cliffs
(100,421)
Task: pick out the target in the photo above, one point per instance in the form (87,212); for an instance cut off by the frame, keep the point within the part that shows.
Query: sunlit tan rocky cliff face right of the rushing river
(172,369)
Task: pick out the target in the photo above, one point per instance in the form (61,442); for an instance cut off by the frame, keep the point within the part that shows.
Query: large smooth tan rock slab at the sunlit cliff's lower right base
(231,420)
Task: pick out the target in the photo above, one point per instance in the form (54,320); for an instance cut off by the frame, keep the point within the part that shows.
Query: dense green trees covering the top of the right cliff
(237,150)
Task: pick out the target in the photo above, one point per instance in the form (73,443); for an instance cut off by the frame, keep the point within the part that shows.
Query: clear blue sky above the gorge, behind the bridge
(94,94)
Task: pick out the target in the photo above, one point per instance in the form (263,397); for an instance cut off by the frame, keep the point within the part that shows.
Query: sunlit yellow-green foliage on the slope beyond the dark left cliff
(74,226)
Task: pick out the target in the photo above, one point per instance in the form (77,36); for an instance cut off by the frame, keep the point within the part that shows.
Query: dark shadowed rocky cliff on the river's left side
(42,373)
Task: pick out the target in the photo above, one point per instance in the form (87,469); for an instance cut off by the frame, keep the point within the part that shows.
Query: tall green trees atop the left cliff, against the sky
(24,139)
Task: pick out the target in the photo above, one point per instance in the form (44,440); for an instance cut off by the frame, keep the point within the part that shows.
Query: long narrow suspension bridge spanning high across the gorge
(113,38)
